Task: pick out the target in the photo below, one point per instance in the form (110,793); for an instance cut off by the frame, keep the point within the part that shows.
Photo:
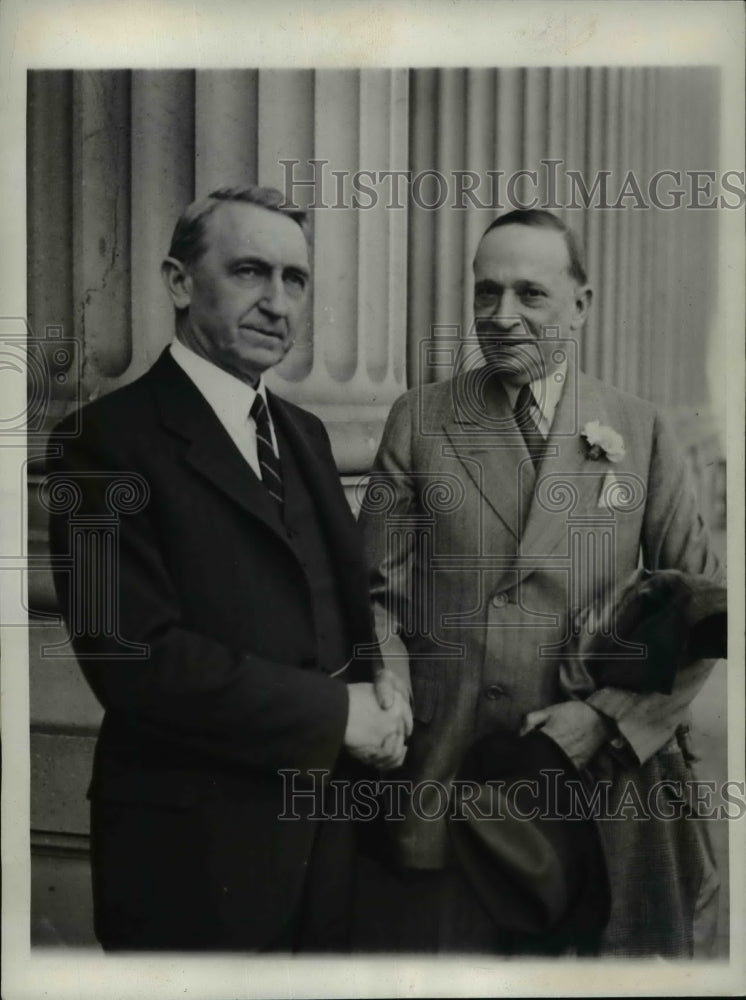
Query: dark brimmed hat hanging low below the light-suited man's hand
(524,842)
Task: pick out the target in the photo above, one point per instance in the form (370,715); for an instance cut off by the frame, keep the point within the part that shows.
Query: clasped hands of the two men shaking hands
(379,720)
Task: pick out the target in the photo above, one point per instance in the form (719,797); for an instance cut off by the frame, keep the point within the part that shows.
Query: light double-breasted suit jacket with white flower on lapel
(481,565)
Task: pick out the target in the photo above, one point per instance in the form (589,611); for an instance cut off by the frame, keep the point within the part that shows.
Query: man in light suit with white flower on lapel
(503,503)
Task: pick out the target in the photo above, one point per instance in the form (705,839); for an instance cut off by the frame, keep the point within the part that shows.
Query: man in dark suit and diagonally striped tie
(219,630)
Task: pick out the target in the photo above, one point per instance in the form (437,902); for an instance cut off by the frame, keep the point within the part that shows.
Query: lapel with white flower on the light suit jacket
(568,482)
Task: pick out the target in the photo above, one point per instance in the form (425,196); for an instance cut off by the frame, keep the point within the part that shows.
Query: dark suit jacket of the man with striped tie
(207,671)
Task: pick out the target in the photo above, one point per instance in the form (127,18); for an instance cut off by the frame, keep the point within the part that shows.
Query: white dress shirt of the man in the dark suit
(230,398)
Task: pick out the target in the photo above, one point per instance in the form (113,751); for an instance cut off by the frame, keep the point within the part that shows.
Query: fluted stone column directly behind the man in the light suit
(614,128)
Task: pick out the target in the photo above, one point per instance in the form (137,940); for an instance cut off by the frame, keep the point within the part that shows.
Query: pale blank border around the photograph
(173,33)
